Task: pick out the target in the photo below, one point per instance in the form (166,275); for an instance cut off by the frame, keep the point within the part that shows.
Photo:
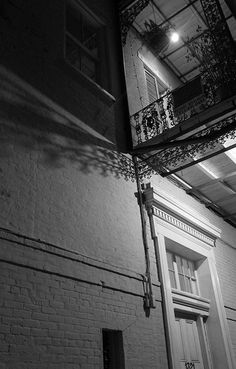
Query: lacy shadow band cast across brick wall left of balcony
(35,123)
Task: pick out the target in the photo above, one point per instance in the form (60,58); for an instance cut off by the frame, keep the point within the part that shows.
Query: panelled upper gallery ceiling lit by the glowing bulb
(188,19)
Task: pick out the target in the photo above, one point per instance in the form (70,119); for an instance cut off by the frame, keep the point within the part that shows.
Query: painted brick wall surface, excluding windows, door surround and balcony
(71,250)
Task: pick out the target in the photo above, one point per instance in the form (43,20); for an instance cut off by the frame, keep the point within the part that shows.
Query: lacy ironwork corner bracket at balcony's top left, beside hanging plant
(128,16)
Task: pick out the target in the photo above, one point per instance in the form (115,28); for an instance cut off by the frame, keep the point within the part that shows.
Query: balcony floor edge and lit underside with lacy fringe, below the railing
(195,154)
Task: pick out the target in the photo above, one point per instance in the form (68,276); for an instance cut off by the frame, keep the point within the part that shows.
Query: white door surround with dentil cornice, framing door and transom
(177,228)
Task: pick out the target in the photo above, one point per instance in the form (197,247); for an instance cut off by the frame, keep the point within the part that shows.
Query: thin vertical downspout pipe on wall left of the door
(149,297)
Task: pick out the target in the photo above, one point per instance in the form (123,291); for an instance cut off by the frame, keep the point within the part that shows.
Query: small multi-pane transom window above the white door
(182,273)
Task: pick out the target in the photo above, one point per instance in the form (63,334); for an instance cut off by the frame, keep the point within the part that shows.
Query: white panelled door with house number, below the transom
(187,343)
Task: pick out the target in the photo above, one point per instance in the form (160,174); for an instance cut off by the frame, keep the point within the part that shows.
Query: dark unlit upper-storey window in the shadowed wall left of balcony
(83,41)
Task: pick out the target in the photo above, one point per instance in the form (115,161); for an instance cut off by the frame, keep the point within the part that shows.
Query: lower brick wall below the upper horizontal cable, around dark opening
(54,304)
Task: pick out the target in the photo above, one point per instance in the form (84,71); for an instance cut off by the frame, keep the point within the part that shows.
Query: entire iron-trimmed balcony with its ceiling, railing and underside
(188,135)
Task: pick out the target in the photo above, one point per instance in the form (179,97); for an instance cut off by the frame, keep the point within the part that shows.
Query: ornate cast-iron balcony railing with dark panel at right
(176,107)
